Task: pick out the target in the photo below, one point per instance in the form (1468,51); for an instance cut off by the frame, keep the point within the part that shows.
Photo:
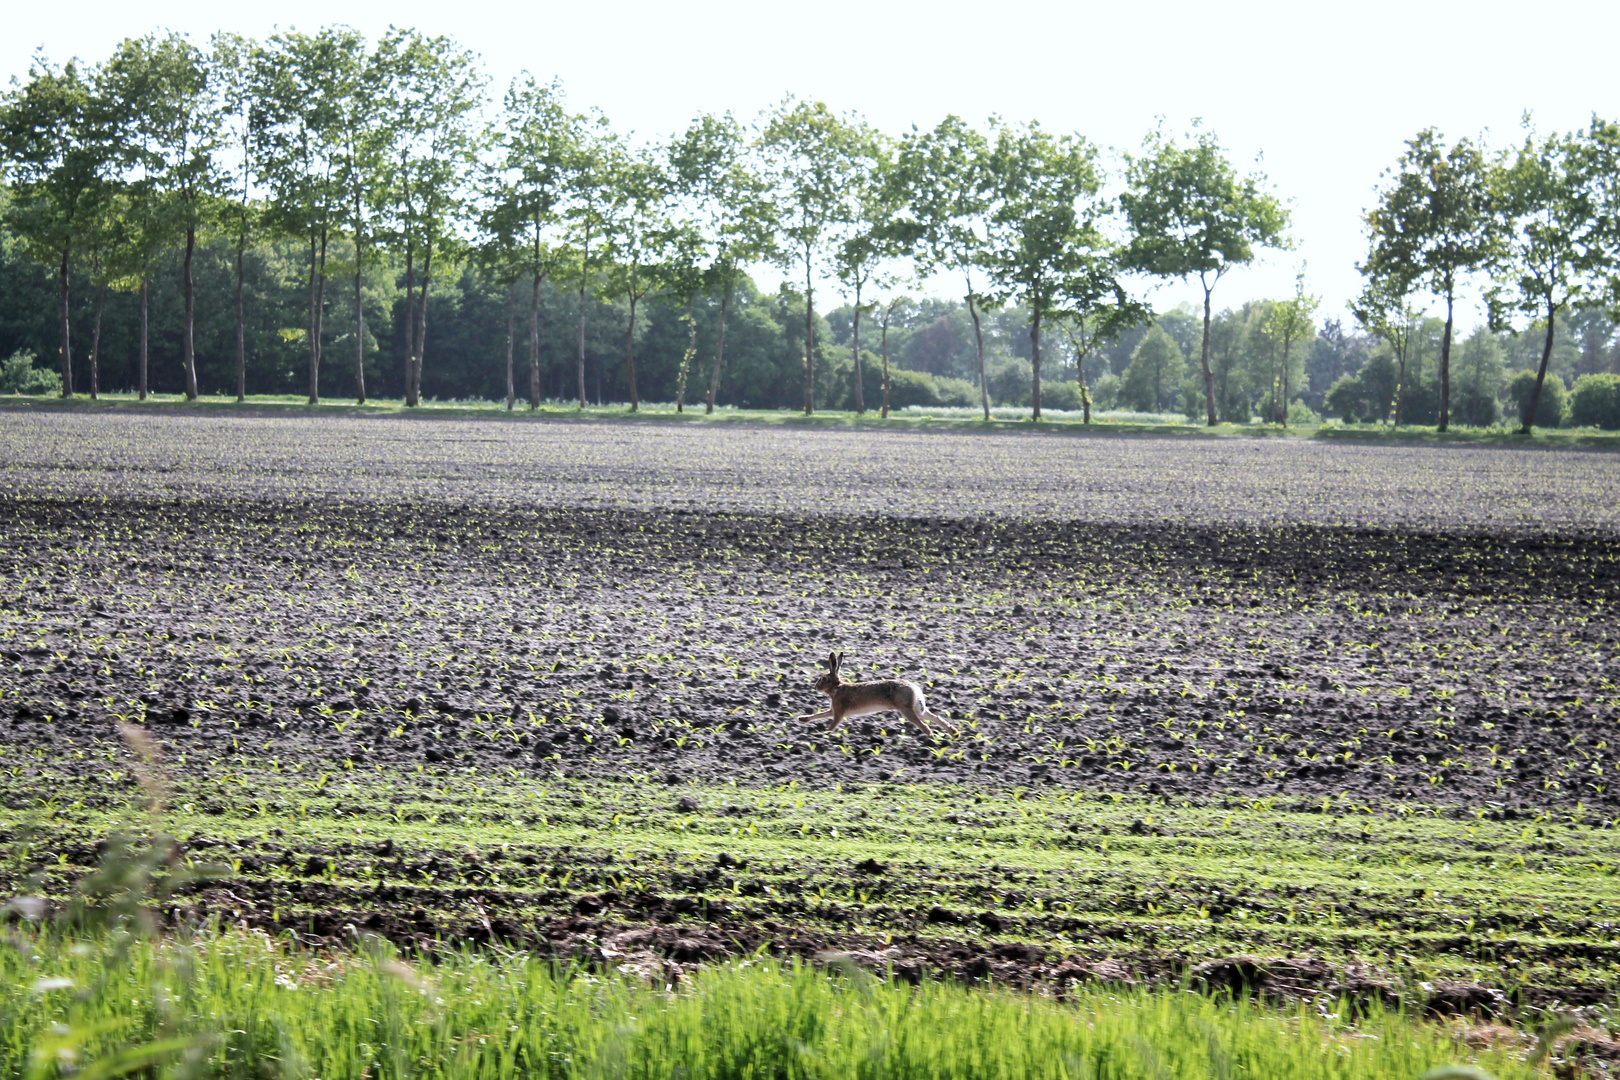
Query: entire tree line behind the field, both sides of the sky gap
(349,174)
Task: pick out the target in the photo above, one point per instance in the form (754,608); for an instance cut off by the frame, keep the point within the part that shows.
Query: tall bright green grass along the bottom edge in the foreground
(239,1005)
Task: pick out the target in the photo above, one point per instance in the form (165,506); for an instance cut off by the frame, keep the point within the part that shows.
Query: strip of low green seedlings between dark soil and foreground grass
(1409,893)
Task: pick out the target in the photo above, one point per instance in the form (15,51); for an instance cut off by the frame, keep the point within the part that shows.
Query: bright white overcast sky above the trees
(1328,93)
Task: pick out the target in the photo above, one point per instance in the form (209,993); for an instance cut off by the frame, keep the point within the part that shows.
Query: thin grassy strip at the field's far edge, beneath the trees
(949,420)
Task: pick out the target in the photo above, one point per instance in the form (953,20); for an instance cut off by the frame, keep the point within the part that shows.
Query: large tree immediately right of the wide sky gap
(1435,223)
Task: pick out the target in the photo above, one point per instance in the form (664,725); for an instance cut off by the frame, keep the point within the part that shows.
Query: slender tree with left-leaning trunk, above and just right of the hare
(945,177)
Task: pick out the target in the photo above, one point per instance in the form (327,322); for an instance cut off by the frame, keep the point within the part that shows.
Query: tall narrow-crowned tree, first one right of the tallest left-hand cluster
(535,142)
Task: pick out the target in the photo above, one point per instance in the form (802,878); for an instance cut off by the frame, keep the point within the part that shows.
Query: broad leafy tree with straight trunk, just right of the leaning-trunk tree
(1046,247)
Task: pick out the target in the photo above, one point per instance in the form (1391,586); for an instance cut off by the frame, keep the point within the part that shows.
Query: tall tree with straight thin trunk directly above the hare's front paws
(812,158)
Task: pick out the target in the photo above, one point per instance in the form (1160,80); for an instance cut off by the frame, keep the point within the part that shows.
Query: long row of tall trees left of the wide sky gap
(385,151)
